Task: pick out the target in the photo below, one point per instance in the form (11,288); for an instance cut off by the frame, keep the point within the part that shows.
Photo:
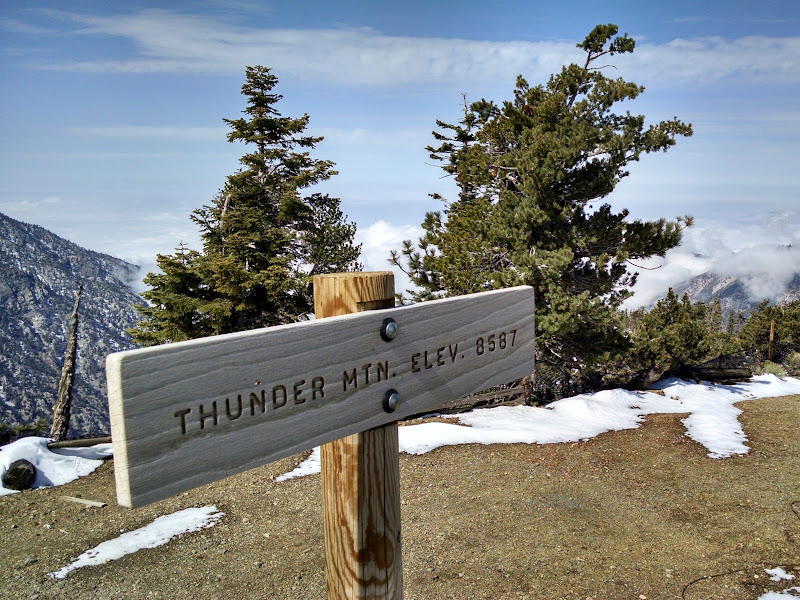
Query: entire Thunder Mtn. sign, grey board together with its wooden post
(193,412)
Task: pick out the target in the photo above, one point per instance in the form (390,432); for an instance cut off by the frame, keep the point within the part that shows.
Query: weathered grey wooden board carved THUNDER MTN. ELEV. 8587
(190,413)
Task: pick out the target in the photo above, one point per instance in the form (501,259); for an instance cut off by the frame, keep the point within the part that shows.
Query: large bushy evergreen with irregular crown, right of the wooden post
(530,175)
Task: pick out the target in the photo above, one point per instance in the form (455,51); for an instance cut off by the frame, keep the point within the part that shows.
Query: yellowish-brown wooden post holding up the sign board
(361,474)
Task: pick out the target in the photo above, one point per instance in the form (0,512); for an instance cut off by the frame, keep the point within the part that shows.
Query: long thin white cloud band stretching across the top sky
(168,41)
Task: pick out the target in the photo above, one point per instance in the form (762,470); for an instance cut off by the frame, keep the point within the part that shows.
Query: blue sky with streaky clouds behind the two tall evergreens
(111,112)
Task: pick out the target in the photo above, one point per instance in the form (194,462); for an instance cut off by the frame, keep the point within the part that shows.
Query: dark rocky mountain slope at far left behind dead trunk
(39,275)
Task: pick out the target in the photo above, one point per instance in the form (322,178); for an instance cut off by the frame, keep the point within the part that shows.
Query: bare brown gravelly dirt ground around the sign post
(637,514)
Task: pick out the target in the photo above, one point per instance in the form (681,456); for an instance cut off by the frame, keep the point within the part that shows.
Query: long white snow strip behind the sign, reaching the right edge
(712,421)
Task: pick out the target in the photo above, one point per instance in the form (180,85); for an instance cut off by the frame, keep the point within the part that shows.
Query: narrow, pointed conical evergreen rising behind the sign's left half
(262,240)
